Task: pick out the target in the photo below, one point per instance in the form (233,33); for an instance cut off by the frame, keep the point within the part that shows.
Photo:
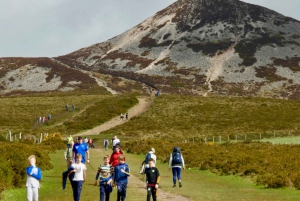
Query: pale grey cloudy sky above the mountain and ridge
(50,28)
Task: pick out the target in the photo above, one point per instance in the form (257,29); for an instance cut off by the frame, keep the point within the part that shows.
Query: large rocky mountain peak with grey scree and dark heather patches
(204,47)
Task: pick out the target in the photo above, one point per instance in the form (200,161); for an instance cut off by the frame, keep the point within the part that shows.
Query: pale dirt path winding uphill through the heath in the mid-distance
(140,108)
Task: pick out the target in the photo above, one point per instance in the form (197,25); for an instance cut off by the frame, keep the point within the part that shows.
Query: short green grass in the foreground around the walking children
(197,185)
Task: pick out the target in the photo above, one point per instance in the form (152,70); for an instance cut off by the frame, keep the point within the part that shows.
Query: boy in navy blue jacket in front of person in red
(120,177)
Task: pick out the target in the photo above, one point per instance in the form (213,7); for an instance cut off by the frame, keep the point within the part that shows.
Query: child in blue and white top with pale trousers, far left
(34,175)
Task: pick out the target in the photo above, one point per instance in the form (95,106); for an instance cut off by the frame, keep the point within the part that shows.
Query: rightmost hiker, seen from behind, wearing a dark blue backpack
(176,162)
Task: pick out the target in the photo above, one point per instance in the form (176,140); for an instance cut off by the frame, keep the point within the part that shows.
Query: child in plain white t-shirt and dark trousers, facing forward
(79,177)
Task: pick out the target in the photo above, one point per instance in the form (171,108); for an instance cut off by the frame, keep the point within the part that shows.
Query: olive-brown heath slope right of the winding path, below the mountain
(183,117)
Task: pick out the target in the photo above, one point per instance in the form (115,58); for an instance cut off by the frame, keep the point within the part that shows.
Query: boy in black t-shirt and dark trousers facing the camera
(152,176)
